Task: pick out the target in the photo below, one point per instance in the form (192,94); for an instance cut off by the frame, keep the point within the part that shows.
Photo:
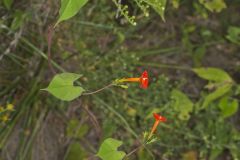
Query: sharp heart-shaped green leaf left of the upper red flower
(62,86)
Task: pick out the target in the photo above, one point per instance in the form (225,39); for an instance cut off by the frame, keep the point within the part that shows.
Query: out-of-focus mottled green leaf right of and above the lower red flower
(182,104)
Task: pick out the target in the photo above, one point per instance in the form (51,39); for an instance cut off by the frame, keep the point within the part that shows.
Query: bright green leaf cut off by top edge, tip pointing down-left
(69,8)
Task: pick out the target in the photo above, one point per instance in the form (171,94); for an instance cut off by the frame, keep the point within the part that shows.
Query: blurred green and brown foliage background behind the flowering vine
(102,46)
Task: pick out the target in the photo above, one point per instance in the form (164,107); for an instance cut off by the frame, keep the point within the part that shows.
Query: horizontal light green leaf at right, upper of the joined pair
(213,74)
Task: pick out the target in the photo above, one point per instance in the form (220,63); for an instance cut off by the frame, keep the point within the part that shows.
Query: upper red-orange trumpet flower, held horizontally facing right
(143,80)
